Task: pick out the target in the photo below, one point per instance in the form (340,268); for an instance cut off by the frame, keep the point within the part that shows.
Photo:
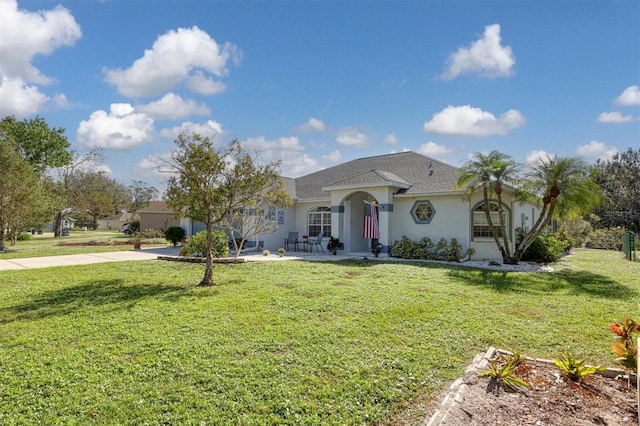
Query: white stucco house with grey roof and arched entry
(415,196)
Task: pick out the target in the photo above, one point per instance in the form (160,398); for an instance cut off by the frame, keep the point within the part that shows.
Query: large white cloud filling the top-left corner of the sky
(23,36)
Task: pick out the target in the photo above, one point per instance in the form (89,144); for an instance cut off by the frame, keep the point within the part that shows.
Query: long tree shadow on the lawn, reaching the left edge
(91,294)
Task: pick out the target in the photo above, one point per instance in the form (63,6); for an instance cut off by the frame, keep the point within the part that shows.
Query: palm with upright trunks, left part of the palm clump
(491,172)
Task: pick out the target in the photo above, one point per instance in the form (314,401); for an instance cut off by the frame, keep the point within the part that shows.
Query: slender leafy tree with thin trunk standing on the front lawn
(210,183)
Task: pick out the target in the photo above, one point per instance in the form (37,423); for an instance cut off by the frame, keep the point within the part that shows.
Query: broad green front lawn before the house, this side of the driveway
(295,342)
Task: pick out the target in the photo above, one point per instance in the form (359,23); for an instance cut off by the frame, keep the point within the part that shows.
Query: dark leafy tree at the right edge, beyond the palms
(619,180)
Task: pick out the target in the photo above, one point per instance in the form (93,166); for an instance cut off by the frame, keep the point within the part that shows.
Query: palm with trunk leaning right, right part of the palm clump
(565,189)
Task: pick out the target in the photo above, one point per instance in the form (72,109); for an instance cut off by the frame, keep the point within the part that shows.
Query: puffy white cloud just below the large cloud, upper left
(121,129)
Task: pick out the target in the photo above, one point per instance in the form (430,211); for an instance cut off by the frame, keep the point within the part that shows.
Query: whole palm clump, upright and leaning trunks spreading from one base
(562,186)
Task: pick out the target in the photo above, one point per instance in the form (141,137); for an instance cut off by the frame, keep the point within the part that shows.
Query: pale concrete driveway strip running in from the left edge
(86,259)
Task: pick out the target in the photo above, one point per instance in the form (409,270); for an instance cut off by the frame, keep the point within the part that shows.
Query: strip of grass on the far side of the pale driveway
(49,246)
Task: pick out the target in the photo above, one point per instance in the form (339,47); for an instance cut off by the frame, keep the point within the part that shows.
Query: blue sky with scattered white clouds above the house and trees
(315,84)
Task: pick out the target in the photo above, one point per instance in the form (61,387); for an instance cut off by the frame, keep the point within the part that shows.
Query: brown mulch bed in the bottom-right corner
(551,399)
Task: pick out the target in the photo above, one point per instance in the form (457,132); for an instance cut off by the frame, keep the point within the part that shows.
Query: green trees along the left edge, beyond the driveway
(44,181)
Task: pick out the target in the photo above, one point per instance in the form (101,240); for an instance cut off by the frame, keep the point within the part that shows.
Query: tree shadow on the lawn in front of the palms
(572,282)
